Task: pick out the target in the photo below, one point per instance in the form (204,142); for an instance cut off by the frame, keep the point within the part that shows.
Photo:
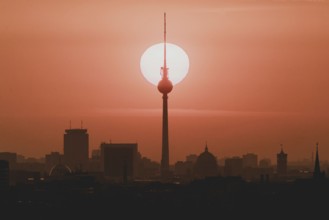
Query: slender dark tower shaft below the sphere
(165,138)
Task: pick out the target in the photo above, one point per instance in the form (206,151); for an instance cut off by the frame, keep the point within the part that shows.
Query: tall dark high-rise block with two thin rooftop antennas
(76,148)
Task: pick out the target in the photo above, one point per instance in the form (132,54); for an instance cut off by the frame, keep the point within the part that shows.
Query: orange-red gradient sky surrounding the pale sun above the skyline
(259,76)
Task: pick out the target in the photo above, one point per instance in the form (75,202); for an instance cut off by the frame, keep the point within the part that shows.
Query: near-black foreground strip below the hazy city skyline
(219,197)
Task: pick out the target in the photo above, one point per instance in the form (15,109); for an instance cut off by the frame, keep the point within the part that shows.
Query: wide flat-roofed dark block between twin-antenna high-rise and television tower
(119,160)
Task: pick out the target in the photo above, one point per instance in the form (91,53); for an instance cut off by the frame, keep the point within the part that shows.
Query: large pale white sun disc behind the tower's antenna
(152,61)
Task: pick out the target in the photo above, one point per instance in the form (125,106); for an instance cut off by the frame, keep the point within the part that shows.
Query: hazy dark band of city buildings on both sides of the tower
(124,161)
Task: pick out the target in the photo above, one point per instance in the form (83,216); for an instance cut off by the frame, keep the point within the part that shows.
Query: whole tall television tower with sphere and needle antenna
(165,86)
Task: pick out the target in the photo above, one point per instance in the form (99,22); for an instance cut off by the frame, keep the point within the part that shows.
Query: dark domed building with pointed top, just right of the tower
(206,165)
